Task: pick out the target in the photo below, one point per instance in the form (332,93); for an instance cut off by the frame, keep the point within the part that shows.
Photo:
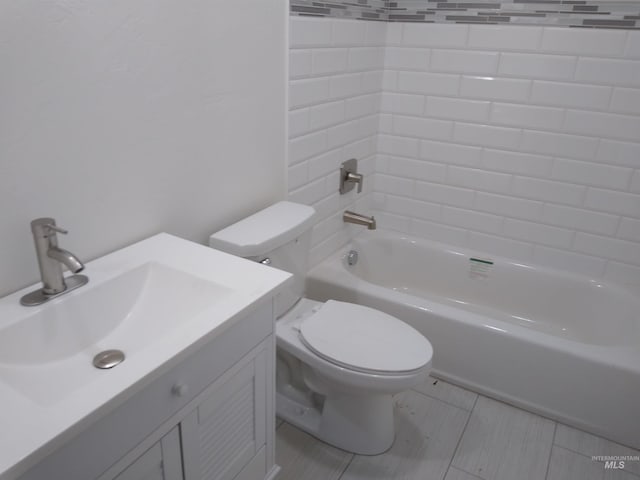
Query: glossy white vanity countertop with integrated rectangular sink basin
(46,402)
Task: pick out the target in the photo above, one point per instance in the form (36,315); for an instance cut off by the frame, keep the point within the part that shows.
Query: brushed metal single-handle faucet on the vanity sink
(50,260)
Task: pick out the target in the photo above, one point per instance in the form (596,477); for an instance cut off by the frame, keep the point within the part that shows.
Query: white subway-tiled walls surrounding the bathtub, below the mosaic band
(516,141)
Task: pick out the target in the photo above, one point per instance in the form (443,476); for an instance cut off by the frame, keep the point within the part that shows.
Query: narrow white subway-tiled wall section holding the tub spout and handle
(336,69)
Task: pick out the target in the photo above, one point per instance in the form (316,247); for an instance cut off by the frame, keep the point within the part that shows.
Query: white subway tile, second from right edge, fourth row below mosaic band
(527,116)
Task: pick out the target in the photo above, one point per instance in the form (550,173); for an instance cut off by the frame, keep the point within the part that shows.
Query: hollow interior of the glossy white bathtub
(550,301)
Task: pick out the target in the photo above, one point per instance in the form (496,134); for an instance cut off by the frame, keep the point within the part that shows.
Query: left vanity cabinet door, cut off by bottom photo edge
(161,462)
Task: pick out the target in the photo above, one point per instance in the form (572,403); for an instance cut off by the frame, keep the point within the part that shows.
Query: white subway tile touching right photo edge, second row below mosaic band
(619,73)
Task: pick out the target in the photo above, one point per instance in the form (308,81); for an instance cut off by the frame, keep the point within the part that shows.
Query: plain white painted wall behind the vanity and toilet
(122,119)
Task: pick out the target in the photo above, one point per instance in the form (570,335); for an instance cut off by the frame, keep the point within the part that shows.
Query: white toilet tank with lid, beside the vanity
(281,233)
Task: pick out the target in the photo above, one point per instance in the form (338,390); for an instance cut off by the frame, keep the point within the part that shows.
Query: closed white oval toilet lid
(364,339)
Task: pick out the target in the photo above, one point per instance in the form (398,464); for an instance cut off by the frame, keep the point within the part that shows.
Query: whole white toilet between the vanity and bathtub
(338,364)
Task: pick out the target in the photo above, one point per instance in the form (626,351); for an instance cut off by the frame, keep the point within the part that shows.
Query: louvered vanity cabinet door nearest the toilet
(227,428)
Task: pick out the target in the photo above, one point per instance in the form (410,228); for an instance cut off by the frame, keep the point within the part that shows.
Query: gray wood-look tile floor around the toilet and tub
(447,433)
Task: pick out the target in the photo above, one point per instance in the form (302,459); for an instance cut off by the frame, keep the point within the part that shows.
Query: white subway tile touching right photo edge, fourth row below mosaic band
(615,126)
